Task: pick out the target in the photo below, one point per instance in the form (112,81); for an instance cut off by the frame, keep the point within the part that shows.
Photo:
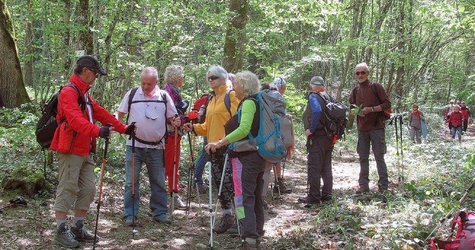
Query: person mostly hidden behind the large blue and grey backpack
(278,84)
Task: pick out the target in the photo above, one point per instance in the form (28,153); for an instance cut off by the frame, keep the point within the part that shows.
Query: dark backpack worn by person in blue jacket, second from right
(334,122)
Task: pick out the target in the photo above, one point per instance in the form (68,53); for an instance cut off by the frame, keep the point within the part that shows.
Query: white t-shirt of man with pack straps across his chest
(149,116)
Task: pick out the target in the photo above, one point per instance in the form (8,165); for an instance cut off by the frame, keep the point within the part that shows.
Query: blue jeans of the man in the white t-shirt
(153,158)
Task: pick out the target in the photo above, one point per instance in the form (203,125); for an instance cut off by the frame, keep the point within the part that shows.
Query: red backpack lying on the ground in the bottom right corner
(465,236)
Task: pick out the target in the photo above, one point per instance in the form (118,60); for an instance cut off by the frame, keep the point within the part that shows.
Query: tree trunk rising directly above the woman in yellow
(235,35)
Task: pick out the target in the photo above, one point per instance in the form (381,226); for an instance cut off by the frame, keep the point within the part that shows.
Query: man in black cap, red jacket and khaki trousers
(74,141)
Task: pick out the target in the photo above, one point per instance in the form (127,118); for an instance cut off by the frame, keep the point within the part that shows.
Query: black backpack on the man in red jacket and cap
(47,123)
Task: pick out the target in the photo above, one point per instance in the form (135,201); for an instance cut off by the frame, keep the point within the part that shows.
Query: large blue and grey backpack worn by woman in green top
(275,128)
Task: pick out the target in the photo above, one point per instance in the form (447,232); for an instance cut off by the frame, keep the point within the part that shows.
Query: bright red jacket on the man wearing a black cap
(76,134)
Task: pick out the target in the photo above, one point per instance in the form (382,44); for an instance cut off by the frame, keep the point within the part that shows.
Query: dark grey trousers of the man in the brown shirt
(378,143)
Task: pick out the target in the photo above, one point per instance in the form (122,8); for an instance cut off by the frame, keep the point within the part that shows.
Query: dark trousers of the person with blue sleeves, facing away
(319,166)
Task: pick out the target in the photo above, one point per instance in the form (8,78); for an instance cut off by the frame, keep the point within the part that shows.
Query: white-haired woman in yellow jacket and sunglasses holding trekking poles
(213,128)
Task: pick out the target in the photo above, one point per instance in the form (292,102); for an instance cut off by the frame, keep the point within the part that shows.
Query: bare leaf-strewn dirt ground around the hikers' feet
(33,226)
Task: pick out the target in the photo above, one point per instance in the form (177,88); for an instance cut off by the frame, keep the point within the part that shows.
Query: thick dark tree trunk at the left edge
(12,88)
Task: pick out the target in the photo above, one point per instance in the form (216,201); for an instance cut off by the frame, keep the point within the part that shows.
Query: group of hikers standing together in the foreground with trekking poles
(156,120)
